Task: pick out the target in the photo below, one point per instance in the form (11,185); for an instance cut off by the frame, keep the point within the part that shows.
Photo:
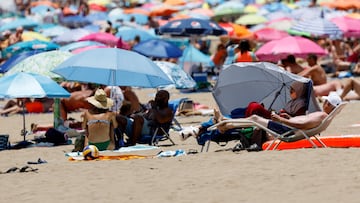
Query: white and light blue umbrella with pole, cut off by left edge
(29,85)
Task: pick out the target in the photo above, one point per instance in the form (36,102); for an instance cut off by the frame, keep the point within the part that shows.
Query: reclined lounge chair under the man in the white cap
(292,135)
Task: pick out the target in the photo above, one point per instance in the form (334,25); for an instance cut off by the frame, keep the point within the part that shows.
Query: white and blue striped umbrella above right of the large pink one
(318,27)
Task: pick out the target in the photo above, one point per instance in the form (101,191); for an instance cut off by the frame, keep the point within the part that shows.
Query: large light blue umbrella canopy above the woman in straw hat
(112,66)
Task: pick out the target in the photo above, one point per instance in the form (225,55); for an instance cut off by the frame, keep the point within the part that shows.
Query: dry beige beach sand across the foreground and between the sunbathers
(303,175)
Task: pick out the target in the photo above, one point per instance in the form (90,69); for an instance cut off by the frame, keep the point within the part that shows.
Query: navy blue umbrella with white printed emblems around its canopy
(191,26)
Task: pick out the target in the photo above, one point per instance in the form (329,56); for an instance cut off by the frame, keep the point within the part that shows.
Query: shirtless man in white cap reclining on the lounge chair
(303,122)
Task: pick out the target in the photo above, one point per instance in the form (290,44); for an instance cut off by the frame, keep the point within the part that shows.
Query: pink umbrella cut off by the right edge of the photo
(350,26)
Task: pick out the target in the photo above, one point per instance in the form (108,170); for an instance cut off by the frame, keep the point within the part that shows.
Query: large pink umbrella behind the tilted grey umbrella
(298,46)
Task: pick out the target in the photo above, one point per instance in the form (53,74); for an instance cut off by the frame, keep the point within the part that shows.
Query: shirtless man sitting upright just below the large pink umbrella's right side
(315,72)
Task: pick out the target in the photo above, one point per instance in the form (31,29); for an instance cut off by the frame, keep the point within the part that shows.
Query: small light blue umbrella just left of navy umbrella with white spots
(129,33)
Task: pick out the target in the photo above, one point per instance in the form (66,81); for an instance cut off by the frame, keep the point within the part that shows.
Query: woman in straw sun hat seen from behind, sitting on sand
(99,123)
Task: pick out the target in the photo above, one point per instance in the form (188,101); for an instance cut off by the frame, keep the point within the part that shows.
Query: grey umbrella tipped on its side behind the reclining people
(242,83)
